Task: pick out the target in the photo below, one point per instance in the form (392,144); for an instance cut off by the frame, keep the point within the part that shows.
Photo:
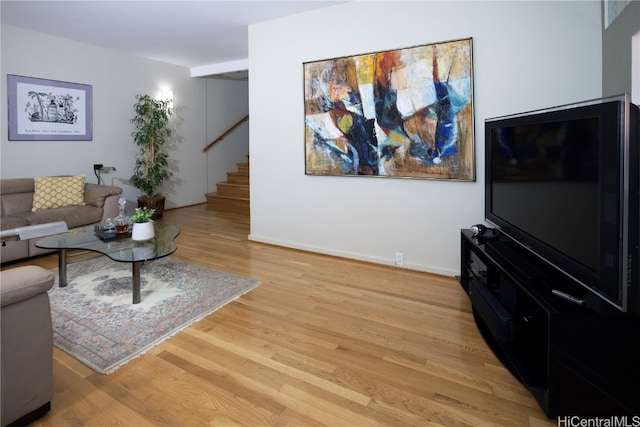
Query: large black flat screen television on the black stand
(563,183)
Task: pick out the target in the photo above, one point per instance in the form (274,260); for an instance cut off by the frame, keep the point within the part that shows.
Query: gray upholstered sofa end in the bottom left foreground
(27,344)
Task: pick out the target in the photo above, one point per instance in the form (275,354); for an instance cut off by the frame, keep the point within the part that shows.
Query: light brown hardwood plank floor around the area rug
(322,341)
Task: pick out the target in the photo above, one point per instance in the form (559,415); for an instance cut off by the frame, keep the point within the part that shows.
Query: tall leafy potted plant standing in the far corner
(151,134)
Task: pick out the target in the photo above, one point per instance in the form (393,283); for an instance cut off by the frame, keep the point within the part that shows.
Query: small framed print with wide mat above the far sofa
(42,110)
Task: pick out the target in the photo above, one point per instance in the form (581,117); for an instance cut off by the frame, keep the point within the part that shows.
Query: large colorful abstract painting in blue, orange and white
(397,113)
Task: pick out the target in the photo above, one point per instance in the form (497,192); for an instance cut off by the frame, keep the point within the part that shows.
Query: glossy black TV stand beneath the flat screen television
(574,359)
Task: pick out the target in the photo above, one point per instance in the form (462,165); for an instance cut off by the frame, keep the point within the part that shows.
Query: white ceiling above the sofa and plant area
(193,34)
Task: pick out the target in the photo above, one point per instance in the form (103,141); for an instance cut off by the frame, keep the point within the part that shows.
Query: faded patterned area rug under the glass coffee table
(95,321)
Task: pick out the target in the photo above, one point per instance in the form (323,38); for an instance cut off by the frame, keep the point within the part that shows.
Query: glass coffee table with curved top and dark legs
(79,241)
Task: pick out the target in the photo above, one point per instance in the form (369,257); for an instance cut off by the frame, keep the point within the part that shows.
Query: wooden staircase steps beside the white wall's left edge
(233,195)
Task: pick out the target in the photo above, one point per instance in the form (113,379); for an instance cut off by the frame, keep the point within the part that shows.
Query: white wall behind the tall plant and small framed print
(115,79)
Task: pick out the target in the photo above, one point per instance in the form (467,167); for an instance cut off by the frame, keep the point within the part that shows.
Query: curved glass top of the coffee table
(122,249)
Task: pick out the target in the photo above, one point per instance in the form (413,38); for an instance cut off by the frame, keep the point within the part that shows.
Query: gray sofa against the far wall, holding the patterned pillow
(16,201)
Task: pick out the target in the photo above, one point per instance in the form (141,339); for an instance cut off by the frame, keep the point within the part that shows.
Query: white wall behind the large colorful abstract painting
(526,55)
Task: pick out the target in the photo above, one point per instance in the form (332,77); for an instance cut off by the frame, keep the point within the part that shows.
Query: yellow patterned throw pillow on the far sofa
(58,191)
